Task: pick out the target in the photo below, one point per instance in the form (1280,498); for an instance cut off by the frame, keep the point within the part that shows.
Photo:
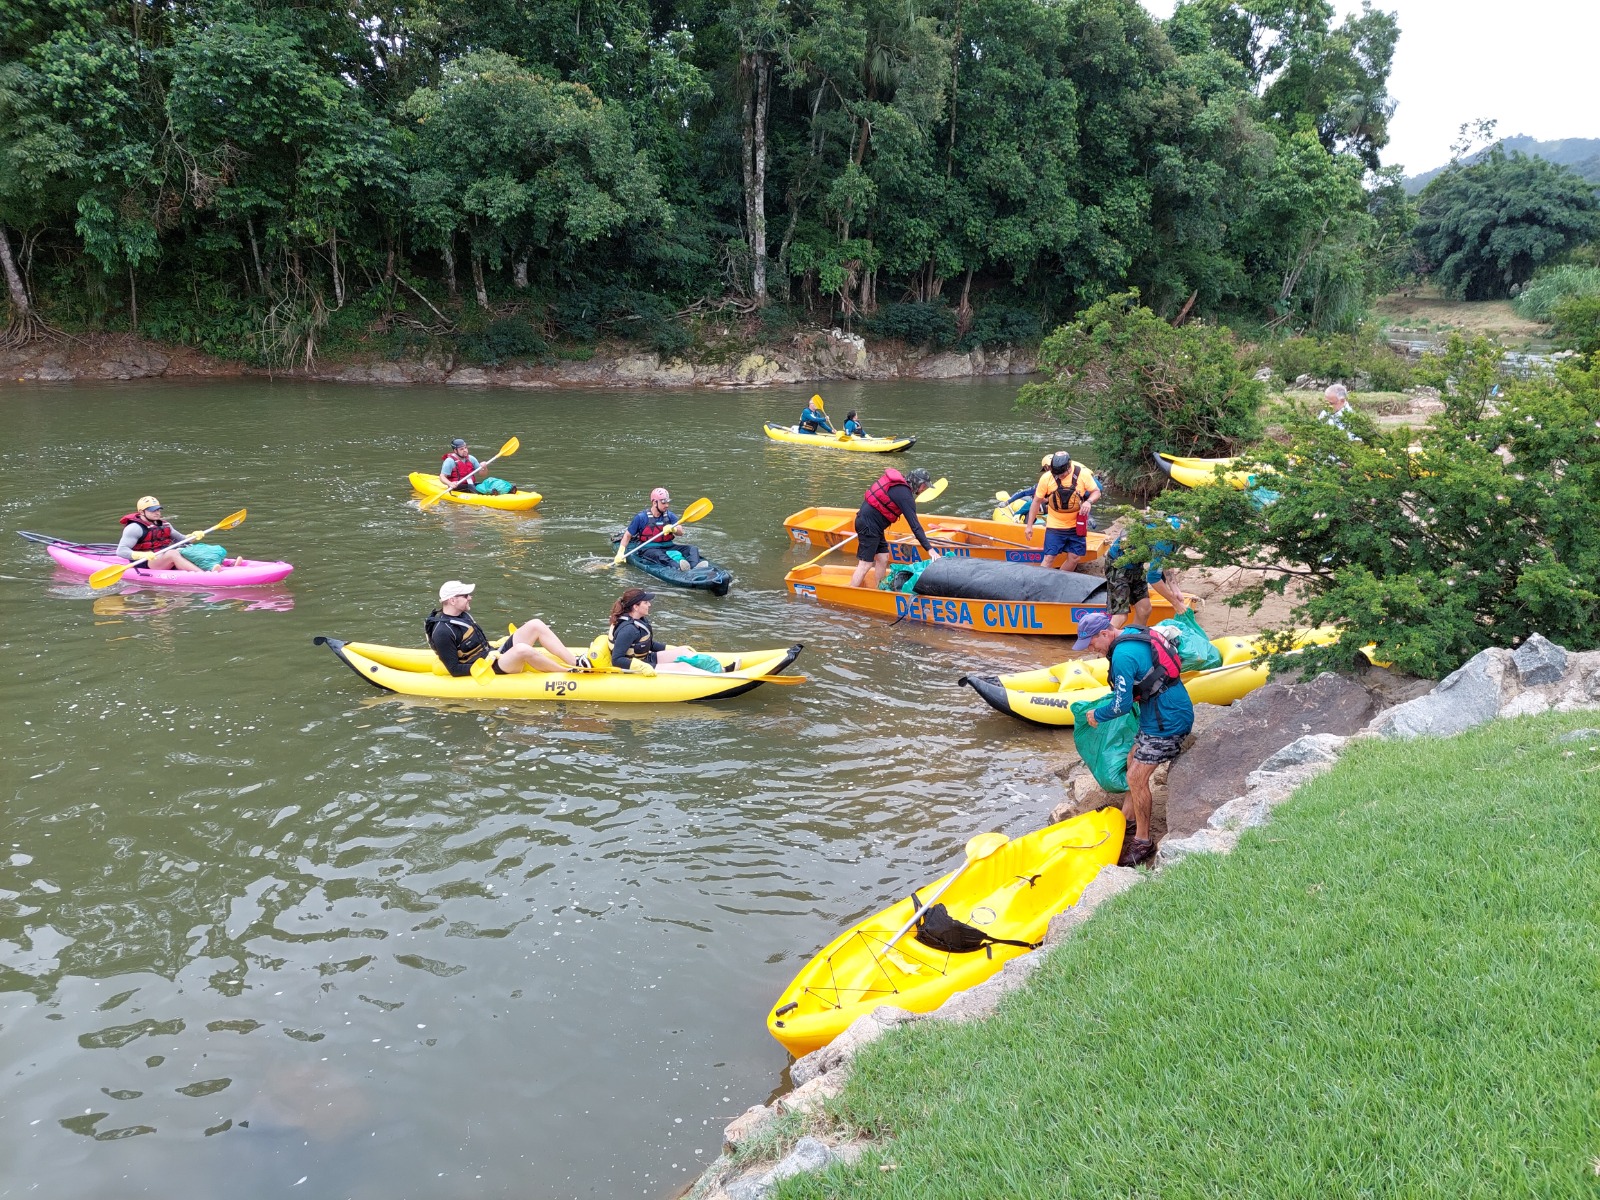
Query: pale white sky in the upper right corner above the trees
(1530,65)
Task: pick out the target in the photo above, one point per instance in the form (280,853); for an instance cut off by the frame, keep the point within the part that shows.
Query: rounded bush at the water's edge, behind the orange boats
(1140,386)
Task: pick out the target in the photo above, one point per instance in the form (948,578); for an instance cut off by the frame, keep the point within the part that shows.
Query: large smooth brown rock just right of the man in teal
(1257,727)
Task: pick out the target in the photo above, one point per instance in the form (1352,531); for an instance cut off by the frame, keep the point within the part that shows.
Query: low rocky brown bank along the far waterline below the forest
(809,356)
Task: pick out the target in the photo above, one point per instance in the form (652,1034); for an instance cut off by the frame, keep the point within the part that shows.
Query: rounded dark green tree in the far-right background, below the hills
(1487,226)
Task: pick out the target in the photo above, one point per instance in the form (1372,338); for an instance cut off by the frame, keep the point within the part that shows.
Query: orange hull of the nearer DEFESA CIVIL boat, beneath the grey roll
(1041,618)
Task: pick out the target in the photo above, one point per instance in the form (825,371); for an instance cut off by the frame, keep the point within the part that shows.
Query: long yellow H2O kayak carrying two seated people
(418,673)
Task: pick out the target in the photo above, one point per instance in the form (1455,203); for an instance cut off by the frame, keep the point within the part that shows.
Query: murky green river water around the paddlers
(266,932)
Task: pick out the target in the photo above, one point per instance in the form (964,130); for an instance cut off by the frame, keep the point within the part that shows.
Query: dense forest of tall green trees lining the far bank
(265,178)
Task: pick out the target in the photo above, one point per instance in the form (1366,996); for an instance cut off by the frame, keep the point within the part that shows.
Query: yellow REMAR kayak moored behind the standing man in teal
(1047,697)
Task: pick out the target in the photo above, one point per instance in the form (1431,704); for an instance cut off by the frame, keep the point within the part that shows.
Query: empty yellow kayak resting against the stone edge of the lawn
(1014,894)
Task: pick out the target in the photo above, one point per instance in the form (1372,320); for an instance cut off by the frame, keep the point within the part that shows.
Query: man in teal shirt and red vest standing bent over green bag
(1146,673)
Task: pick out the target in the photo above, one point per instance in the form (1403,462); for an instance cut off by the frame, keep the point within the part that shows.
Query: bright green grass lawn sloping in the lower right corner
(1391,991)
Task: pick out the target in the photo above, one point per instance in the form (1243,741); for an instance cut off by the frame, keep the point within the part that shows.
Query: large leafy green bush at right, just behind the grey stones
(1439,554)
